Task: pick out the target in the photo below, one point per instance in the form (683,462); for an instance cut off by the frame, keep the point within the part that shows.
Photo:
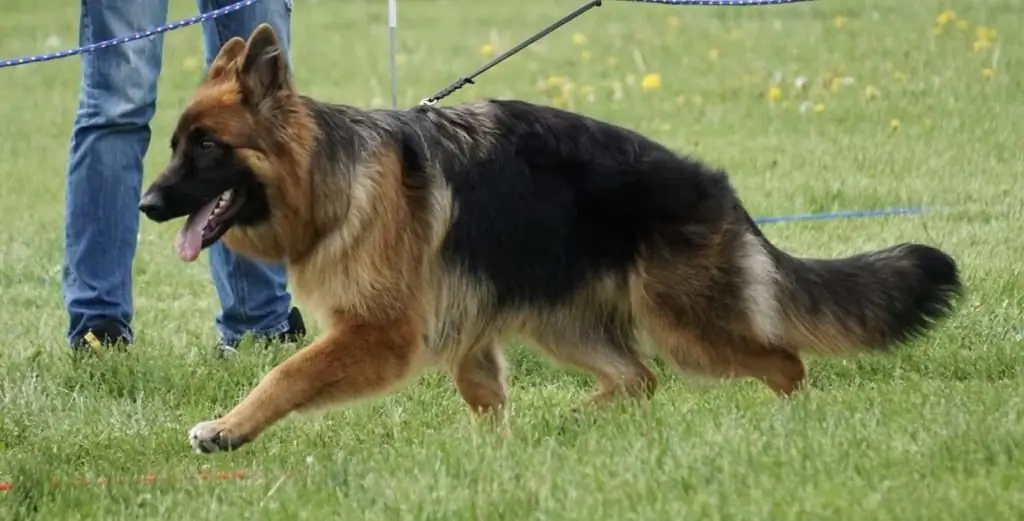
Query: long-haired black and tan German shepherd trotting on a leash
(425,238)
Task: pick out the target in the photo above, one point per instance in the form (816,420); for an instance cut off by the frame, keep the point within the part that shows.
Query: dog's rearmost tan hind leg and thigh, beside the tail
(705,318)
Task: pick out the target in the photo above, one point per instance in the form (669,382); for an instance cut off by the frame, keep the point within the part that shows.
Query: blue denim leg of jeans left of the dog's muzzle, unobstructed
(110,138)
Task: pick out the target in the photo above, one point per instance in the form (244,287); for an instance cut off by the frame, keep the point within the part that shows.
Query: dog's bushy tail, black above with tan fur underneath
(868,302)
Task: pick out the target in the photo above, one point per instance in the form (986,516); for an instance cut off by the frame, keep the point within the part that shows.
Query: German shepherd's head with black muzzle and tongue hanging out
(226,146)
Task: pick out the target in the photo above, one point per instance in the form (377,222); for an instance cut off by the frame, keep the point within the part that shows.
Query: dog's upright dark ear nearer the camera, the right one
(264,72)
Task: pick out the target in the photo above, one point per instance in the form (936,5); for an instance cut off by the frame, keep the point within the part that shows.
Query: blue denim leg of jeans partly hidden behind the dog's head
(253,295)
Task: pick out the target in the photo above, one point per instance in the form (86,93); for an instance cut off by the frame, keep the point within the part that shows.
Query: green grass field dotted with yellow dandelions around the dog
(904,106)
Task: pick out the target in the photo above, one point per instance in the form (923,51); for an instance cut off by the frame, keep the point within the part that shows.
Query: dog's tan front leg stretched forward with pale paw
(356,360)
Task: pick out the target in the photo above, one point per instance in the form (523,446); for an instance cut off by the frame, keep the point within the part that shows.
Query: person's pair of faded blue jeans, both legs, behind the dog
(110,138)
